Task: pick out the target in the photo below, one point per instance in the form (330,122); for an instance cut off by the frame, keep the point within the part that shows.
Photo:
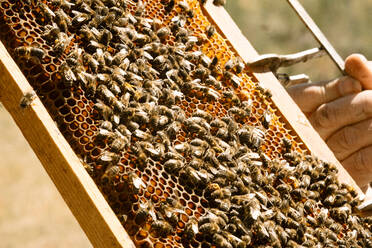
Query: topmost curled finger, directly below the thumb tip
(310,96)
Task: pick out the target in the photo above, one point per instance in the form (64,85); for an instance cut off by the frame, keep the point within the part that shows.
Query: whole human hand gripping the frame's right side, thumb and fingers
(341,112)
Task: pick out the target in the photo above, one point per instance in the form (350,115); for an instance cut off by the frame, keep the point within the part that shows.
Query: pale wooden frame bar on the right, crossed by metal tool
(291,112)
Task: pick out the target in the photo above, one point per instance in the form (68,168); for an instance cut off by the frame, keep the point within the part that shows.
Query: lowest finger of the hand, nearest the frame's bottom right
(359,166)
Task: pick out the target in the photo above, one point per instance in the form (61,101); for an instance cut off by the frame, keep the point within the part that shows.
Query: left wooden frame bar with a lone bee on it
(77,188)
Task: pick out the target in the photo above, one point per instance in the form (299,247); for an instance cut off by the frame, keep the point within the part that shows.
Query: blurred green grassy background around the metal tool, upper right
(272,27)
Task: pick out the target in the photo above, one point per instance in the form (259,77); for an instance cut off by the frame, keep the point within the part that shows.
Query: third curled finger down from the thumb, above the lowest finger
(350,139)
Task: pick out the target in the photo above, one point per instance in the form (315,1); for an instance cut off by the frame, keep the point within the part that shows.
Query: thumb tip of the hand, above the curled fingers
(358,67)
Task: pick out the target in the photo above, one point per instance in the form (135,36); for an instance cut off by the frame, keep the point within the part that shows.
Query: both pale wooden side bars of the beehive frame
(65,169)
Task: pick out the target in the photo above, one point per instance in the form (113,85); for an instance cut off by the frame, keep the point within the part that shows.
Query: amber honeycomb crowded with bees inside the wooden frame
(185,144)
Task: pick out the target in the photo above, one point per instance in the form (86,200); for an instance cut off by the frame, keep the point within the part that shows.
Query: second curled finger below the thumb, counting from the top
(348,110)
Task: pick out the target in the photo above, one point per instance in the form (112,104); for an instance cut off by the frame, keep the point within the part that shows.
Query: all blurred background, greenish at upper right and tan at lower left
(33,214)
